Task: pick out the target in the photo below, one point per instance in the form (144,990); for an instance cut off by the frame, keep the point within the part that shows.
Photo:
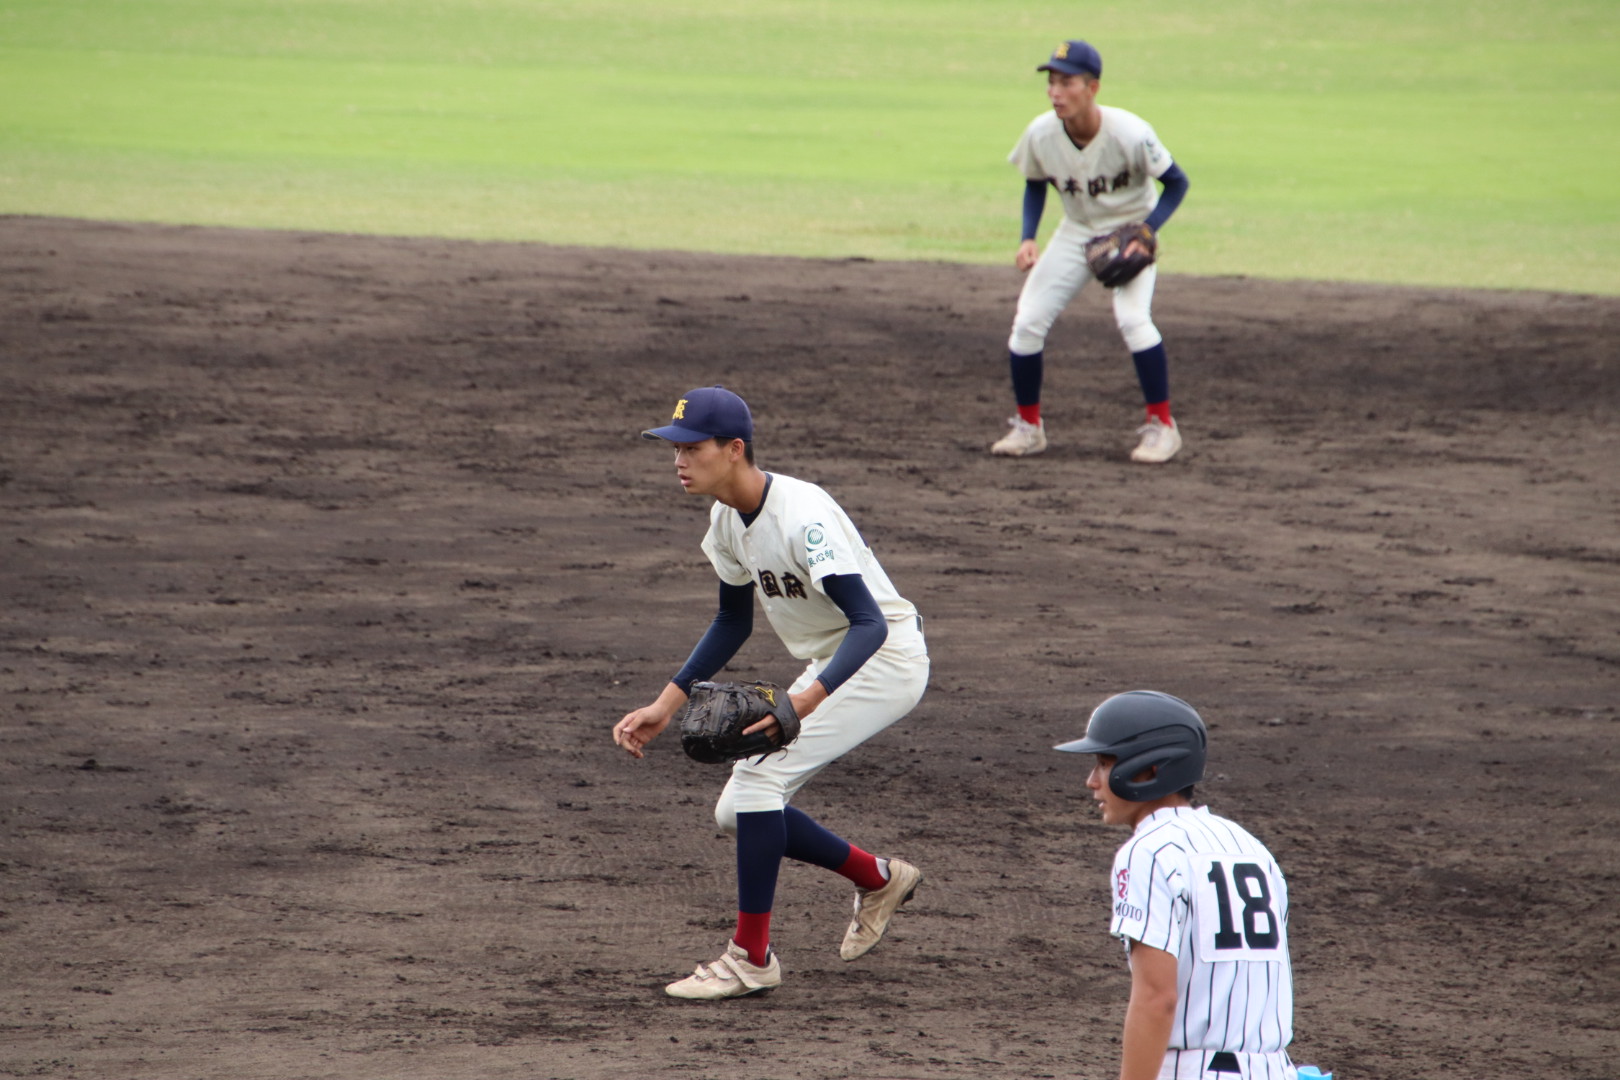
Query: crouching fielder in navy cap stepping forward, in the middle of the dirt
(825,595)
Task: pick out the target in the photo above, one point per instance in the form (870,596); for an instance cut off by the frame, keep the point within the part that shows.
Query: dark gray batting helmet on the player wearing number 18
(1146,729)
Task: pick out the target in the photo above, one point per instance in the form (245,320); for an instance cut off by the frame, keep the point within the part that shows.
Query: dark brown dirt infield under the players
(328,564)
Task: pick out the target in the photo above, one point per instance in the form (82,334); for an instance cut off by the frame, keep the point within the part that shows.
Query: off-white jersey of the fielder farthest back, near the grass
(1106,185)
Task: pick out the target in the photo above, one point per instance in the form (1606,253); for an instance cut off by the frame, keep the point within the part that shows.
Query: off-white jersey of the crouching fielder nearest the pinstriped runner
(799,538)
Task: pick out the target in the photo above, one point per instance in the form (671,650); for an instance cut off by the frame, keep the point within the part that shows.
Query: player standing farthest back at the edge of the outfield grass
(1104,164)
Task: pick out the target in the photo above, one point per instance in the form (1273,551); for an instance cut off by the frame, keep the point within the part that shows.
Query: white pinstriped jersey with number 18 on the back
(1206,891)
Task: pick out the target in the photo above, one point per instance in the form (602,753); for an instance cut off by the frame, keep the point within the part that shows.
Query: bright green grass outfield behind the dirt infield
(1418,142)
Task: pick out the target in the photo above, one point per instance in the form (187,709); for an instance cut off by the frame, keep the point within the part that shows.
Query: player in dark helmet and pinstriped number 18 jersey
(1201,906)
